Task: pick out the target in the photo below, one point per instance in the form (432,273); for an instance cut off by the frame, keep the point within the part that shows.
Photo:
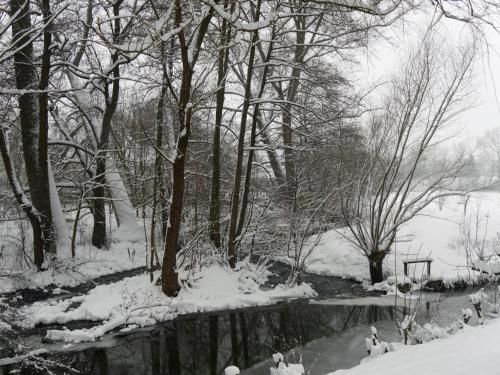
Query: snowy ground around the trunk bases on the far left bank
(127,251)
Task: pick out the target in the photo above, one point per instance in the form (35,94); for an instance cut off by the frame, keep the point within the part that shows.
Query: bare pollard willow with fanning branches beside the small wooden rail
(389,189)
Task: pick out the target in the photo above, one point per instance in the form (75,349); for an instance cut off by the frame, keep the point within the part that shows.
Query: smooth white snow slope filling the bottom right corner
(471,351)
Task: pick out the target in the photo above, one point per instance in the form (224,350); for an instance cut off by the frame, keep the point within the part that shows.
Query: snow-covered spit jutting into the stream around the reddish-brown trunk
(135,300)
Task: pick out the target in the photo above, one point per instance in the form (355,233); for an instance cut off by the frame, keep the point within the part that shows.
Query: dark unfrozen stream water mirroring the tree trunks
(206,345)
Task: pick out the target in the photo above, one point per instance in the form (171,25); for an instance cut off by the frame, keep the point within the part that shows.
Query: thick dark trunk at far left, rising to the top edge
(34,121)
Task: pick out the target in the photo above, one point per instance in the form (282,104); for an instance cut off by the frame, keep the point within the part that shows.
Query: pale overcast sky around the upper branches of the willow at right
(383,58)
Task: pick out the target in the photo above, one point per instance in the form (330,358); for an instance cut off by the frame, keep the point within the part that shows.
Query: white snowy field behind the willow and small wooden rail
(436,233)
